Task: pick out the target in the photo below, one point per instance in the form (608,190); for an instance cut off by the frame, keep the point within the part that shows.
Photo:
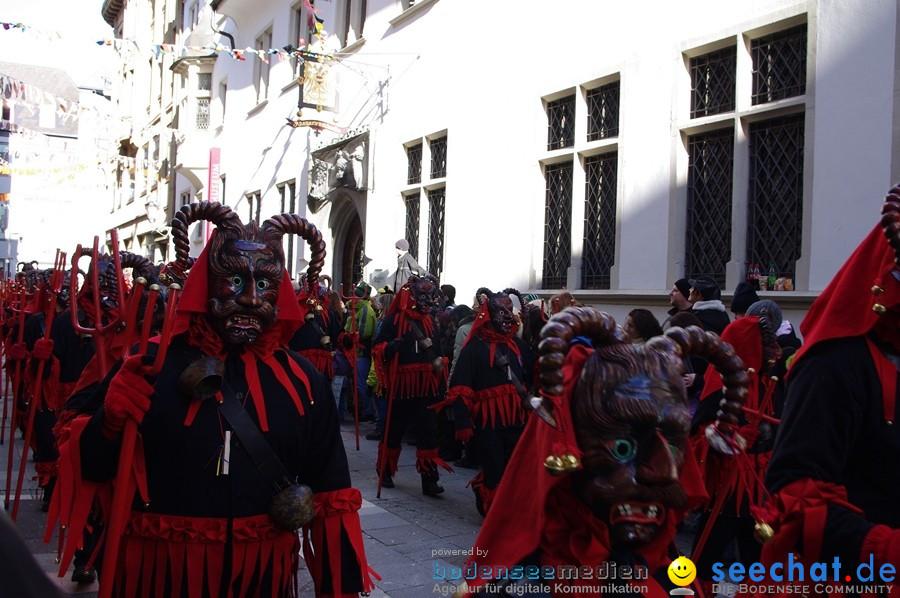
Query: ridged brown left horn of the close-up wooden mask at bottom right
(558,333)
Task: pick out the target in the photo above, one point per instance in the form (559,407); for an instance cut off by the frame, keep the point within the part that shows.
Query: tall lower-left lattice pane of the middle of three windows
(557,225)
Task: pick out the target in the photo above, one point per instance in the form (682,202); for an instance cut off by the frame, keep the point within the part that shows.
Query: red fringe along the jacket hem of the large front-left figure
(192,549)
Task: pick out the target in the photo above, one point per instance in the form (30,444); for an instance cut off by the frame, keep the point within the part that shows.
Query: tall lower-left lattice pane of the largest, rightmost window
(710,182)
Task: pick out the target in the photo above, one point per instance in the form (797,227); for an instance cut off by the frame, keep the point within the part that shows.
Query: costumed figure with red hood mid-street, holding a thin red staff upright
(413,374)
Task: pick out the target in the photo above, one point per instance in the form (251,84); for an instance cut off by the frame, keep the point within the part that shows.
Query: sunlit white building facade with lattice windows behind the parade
(605,148)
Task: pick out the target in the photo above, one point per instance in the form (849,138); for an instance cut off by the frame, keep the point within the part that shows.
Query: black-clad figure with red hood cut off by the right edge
(833,471)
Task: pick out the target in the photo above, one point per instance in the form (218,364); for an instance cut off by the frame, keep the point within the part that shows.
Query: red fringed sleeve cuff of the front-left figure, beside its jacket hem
(336,511)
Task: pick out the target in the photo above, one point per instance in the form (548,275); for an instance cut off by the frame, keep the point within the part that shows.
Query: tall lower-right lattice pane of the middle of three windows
(599,220)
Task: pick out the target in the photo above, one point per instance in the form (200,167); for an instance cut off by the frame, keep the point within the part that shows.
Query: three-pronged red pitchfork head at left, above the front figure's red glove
(99,329)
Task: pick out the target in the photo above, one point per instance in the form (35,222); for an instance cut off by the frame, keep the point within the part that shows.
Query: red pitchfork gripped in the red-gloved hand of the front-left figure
(124,491)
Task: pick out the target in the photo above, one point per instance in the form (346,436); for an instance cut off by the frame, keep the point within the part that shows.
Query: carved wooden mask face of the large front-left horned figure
(244,276)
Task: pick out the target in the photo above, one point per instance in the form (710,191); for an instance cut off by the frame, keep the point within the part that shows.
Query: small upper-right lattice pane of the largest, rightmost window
(779,65)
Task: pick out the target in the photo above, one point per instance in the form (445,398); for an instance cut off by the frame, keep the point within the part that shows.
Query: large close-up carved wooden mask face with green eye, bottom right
(632,424)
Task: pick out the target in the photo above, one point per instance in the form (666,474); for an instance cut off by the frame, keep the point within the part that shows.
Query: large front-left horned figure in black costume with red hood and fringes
(239,442)
